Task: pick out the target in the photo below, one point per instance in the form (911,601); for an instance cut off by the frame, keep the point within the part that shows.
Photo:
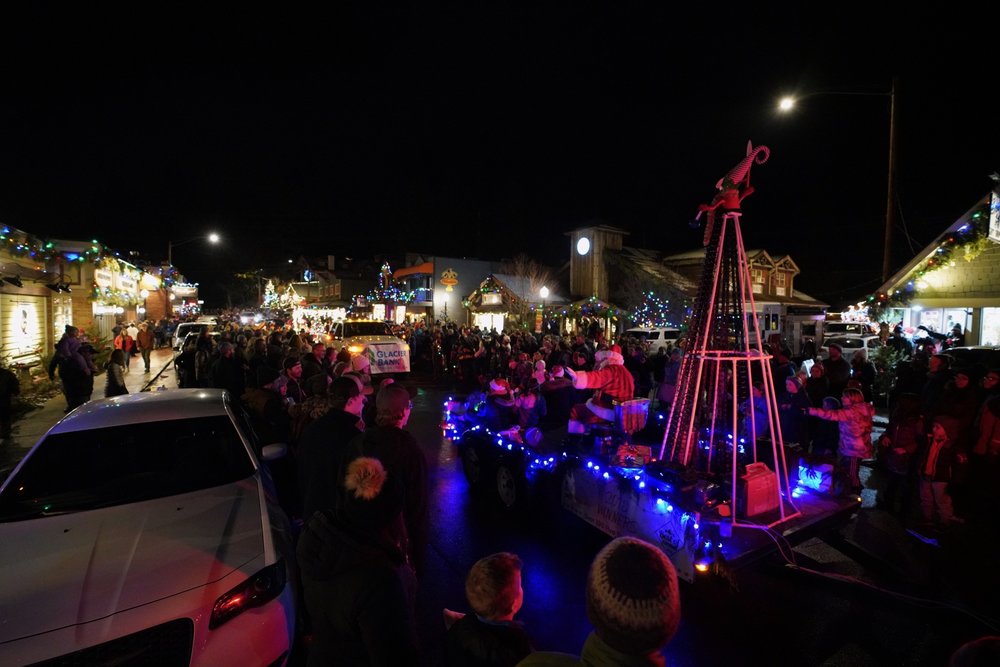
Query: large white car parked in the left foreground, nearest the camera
(143,529)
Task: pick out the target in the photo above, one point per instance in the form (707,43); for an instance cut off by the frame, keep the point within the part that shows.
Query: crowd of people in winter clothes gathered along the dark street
(360,481)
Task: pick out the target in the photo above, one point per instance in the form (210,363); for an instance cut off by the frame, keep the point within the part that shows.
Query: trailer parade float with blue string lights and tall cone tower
(718,489)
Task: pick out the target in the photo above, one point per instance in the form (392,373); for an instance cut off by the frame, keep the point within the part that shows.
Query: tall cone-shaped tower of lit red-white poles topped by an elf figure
(715,416)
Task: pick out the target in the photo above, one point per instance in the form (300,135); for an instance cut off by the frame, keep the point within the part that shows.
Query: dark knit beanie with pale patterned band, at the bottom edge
(632,596)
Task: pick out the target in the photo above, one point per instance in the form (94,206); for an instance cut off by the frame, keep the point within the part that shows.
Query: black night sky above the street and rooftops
(491,131)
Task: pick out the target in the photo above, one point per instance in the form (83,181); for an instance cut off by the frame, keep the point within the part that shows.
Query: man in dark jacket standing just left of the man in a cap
(322,446)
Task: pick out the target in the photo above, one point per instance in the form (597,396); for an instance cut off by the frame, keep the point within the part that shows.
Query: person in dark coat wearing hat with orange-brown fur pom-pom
(358,588)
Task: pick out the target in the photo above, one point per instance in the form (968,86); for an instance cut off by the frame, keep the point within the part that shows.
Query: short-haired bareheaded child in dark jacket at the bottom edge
(490,637)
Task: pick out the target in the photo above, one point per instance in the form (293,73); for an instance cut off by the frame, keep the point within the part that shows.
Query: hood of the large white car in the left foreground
(68,569)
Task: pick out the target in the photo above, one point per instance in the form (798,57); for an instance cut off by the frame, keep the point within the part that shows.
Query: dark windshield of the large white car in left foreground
(84,470)
